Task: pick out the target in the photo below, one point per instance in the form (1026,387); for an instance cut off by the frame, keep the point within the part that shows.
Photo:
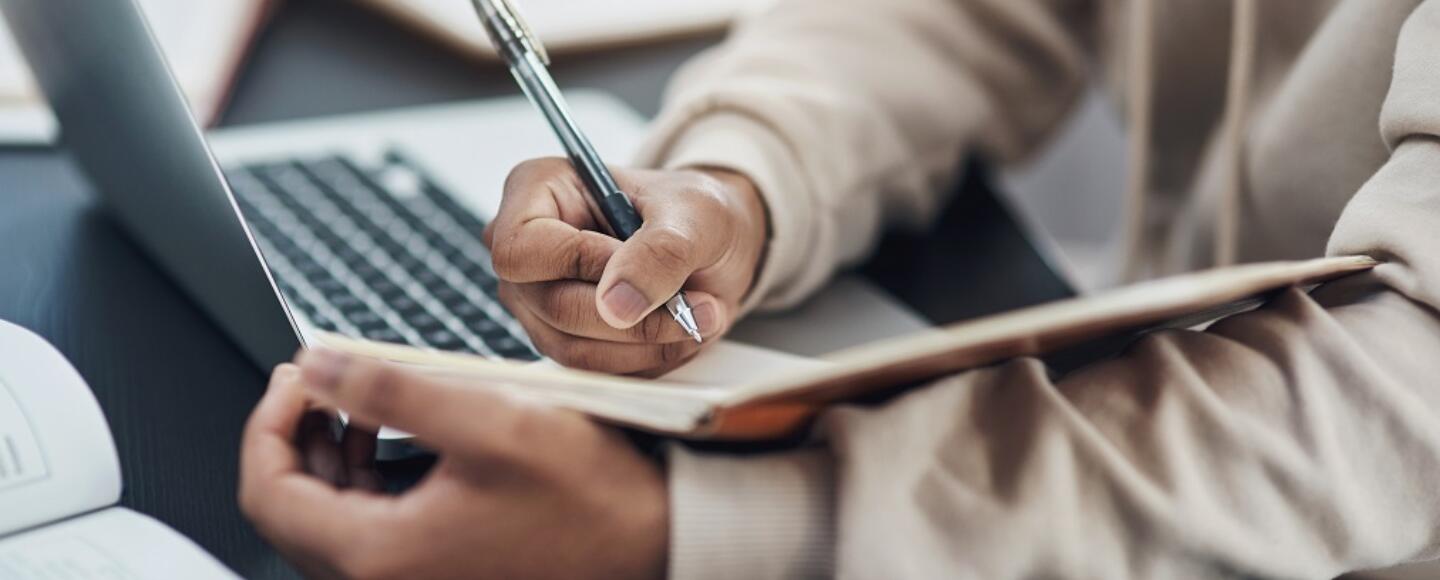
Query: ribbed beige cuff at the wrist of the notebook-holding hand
(755,519)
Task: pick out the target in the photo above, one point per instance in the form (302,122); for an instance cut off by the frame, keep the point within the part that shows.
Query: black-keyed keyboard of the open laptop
(378,253)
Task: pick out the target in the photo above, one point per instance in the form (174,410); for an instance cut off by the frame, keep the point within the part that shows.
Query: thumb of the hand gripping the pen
(653,267)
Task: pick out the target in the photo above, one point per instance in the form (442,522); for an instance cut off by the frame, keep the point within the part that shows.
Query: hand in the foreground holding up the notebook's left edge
(521,490)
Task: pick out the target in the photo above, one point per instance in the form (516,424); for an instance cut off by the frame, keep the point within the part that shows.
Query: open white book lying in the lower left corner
(60,481)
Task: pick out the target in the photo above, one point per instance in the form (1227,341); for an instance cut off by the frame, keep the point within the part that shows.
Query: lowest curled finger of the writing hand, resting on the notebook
(607,358)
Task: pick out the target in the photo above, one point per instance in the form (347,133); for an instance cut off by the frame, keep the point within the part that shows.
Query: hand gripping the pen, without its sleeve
(594,303)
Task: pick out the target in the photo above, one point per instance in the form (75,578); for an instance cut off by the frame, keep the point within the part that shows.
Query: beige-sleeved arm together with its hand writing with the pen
(783,155)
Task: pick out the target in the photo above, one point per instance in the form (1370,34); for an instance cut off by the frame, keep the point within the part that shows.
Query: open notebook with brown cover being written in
(737,395)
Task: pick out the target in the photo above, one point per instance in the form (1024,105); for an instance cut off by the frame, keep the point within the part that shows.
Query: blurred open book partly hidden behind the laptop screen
(204,41)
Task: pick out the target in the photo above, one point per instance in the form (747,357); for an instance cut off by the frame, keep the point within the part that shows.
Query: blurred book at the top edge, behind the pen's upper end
(572,25)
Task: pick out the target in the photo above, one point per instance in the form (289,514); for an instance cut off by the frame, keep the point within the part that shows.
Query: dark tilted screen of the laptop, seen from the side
(127,126)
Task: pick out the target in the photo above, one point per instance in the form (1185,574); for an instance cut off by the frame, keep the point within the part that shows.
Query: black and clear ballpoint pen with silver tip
(529,64)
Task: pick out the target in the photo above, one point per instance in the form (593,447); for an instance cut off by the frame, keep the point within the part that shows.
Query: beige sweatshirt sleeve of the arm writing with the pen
(853,113)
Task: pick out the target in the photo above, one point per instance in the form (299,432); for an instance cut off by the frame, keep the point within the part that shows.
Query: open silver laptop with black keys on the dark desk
(369,227)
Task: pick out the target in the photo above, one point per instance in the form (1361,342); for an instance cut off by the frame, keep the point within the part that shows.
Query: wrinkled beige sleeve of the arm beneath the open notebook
(1297,441)
